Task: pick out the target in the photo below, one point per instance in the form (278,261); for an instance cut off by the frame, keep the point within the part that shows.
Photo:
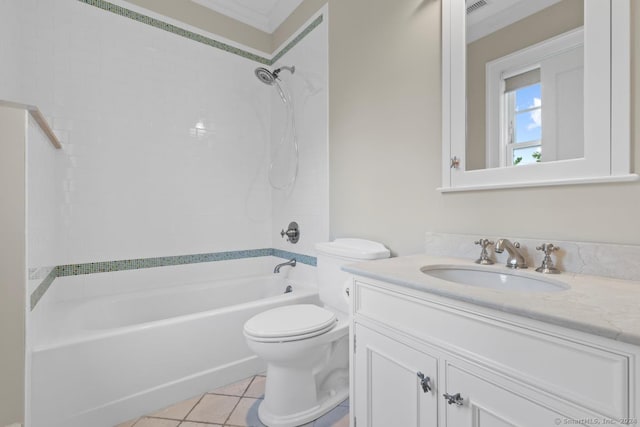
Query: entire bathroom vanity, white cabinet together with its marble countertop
(432,352)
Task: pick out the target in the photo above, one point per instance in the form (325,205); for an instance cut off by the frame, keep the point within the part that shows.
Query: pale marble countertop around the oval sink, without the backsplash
(598,305)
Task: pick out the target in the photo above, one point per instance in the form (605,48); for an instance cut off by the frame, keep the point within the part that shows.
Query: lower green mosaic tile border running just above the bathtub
(139,263)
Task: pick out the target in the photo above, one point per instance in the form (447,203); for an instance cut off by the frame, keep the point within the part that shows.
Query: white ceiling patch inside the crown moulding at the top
(265,15)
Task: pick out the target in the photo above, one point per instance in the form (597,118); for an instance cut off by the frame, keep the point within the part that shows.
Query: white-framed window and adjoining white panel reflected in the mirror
(539,85)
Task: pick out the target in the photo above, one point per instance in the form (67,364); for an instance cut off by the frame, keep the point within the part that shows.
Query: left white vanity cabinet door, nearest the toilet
(388,390)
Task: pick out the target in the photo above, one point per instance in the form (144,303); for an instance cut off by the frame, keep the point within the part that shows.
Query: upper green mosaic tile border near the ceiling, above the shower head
(127,13)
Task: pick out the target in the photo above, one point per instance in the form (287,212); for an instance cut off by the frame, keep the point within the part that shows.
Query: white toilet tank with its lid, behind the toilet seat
(332,281)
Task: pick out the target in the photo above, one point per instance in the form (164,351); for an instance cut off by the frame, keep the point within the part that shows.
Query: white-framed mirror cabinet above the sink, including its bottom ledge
(535,92)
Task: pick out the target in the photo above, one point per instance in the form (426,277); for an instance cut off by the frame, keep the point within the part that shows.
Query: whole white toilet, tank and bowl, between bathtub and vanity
(306,346)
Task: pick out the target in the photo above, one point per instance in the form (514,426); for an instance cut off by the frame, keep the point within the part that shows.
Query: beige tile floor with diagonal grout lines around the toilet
(235,405)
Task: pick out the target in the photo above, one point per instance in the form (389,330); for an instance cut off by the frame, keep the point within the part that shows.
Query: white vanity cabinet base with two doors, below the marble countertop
(508,370)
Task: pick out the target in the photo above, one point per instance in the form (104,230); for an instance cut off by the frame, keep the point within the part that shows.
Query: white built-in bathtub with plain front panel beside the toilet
(101,360)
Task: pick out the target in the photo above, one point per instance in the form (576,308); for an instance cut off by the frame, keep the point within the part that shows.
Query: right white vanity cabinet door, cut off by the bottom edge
(487,404)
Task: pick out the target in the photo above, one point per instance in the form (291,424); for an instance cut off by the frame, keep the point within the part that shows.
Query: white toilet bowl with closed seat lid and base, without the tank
(297,389)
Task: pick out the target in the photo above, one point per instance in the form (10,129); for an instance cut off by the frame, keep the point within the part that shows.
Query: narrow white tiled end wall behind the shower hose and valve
(307,201)
